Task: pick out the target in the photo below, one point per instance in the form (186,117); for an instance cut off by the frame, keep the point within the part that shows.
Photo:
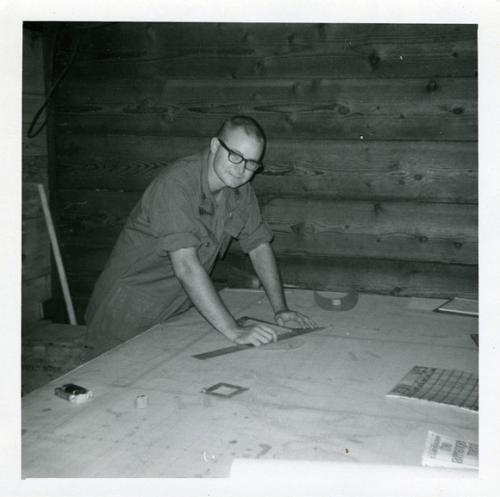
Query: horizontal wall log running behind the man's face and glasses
(430,171)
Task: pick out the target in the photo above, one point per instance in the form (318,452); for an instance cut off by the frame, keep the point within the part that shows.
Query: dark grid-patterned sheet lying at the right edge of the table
(443,386)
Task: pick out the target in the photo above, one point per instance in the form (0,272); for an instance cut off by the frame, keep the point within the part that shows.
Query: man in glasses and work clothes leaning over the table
(162,259)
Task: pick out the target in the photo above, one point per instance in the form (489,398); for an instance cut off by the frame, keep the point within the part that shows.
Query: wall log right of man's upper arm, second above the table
(391,230)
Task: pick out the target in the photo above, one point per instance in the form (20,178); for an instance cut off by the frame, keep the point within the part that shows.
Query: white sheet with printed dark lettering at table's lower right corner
(447,452)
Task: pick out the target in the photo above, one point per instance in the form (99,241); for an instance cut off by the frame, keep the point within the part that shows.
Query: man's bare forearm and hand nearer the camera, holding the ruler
(204,296)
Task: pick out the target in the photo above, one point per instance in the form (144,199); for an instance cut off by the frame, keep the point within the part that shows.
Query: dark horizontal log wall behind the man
(371,168)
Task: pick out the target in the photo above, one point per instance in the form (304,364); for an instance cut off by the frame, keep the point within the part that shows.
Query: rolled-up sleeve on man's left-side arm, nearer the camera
(171,216)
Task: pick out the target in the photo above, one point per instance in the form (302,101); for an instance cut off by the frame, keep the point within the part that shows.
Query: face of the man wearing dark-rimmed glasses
(225,172)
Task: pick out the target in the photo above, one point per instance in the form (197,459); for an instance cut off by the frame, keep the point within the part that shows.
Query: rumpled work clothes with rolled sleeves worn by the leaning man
(138,287)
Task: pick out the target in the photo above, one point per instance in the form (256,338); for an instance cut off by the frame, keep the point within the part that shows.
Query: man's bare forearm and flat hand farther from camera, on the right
(264,263)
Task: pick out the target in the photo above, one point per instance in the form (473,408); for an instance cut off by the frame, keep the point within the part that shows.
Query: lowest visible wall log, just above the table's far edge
(400,278)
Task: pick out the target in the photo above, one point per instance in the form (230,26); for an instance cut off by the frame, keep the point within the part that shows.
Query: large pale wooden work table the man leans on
(319,397)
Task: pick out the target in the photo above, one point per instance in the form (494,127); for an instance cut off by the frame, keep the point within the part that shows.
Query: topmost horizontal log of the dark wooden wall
(242,50)
